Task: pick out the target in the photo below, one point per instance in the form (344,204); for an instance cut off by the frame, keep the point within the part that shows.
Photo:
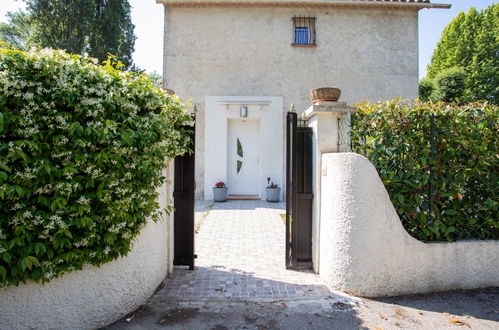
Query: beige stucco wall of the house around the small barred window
(229,51)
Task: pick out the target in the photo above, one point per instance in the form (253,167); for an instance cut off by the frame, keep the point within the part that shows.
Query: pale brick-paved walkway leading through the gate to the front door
(240,248)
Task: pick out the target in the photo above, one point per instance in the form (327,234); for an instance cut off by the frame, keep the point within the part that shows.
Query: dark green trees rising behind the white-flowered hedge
(96,27)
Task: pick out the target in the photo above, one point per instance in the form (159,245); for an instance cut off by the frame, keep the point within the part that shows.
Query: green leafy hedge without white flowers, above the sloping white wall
(464,180)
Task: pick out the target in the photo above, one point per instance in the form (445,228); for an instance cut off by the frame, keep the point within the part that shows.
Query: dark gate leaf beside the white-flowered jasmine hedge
(183,198)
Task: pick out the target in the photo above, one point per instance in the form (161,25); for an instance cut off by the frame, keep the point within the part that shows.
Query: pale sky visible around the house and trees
(148,19)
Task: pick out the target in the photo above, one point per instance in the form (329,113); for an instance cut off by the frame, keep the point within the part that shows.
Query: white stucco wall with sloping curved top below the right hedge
(364,249)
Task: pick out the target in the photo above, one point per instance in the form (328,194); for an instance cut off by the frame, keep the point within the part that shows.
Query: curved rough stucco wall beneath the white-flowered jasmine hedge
(94,297)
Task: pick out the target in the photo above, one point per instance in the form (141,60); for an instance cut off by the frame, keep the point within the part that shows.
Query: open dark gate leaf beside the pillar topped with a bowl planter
(299,193)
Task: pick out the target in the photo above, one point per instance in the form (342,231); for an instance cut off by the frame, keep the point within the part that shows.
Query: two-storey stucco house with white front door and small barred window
(244,62)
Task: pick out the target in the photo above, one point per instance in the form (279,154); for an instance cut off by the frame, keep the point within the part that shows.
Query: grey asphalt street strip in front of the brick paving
(476,309)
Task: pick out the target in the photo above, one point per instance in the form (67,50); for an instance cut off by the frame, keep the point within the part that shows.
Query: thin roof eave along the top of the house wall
(407,5)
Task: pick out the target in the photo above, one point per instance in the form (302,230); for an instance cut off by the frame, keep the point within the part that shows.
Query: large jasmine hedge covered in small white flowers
(82,147)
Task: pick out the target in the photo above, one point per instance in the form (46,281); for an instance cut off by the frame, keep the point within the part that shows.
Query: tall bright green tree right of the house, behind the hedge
(471,41)
